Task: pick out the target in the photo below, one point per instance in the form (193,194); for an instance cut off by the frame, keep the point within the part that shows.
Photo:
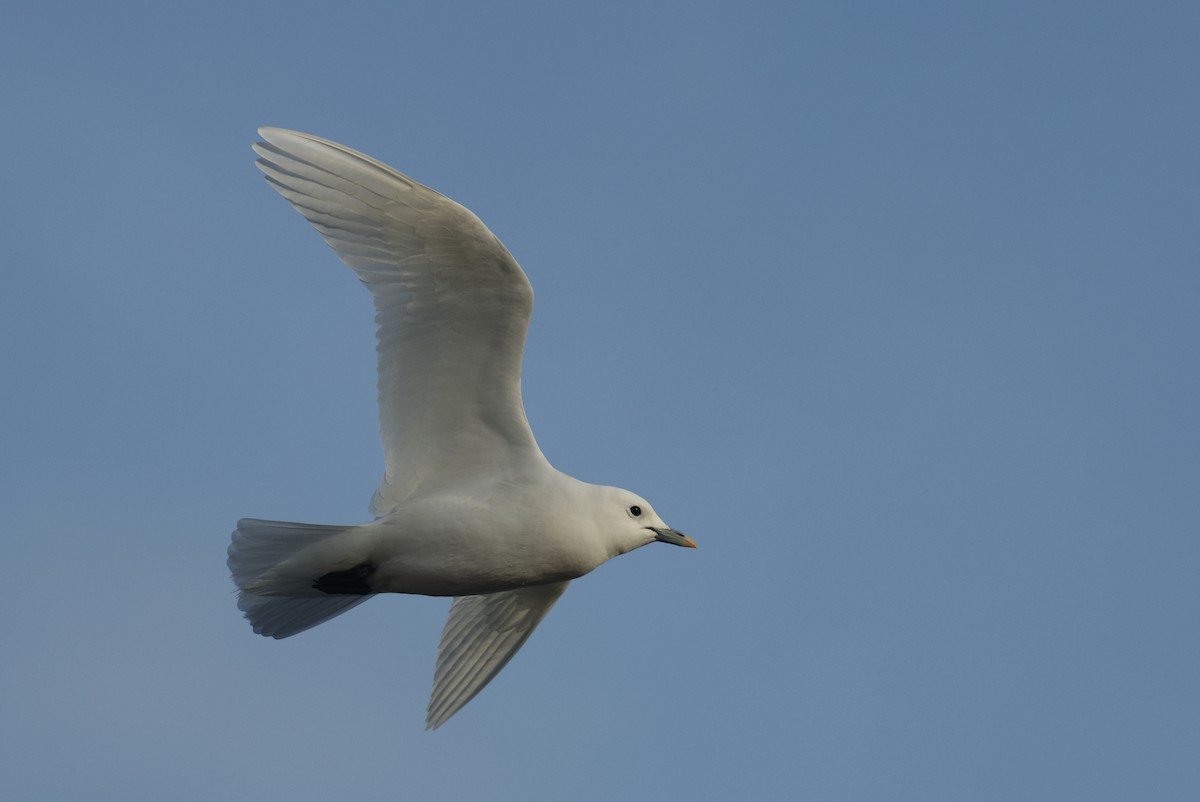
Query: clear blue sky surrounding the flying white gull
(893,307)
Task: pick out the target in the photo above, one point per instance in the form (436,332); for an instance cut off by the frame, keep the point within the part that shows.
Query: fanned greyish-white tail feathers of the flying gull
(280,602)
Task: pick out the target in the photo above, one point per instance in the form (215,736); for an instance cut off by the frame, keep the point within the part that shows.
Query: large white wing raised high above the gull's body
(452,309)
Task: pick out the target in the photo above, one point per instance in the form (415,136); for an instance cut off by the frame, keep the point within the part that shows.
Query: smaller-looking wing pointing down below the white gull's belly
(483,635)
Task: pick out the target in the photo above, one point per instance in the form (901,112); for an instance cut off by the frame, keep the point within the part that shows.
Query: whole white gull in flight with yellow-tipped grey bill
(469,506)
